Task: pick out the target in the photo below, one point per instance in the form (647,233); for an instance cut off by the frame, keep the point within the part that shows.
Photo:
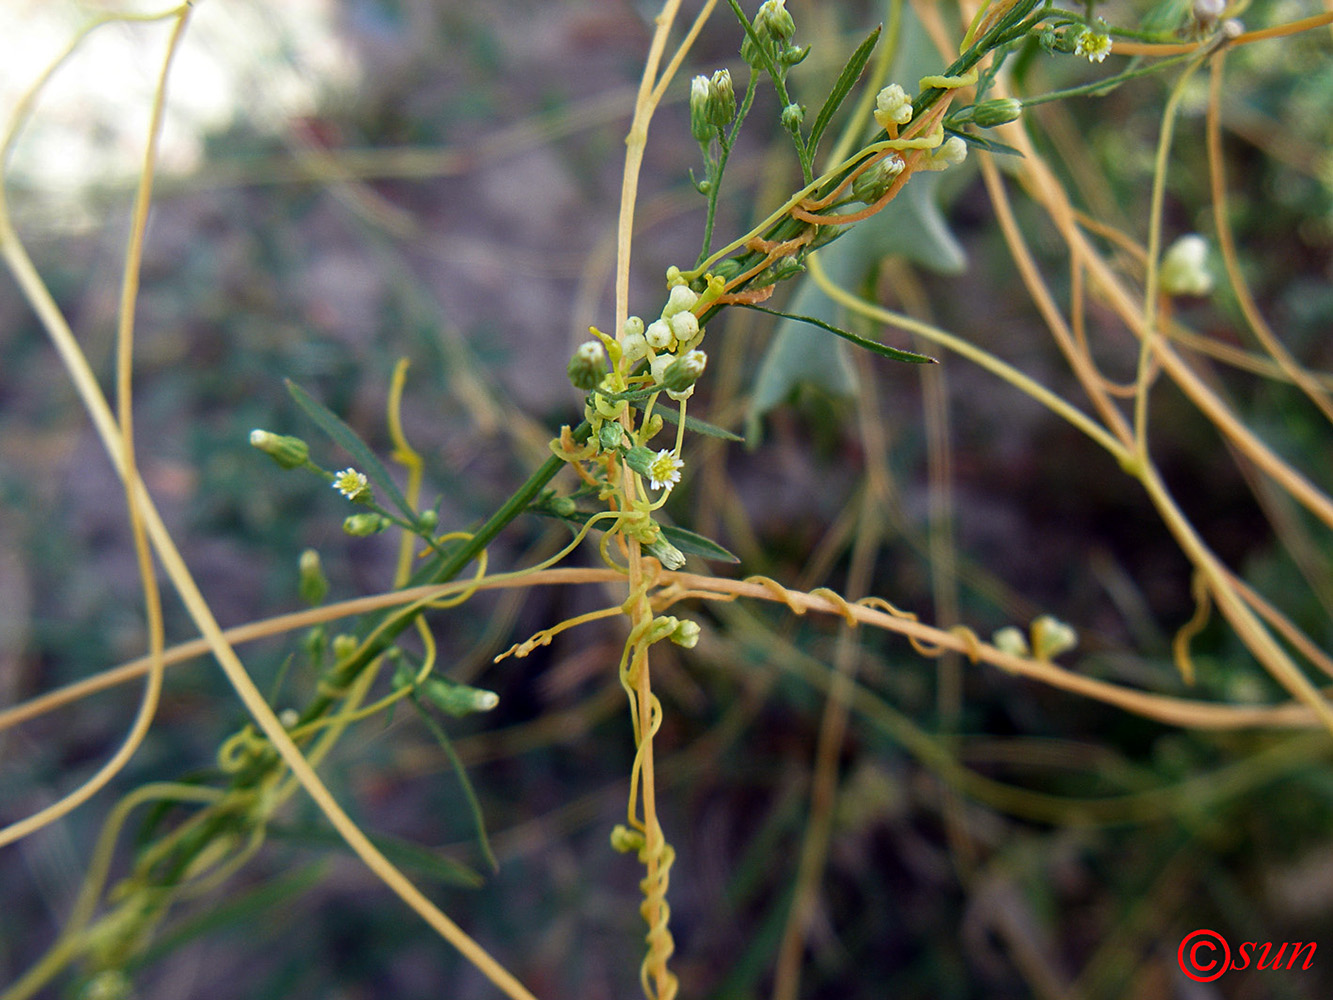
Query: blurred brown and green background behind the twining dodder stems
(349,183)
